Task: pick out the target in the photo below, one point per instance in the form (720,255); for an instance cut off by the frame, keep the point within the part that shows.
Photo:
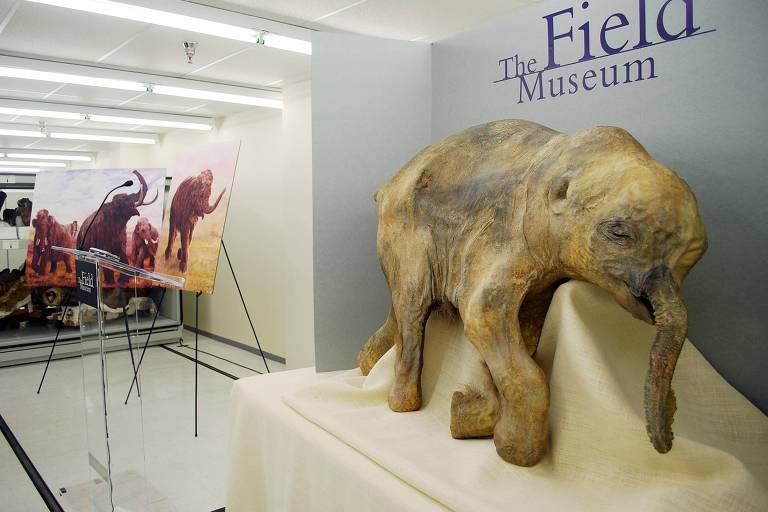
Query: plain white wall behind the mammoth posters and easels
(259,229)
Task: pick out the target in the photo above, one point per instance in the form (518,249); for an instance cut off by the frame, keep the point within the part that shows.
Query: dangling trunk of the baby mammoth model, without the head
(671,319)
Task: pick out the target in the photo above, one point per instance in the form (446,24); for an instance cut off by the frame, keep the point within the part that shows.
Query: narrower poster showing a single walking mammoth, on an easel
(190,239)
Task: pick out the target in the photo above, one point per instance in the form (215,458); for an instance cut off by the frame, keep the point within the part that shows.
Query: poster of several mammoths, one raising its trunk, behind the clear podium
(64,214)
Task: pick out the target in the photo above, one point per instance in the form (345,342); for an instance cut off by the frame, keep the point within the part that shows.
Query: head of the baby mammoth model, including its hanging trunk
(630,225)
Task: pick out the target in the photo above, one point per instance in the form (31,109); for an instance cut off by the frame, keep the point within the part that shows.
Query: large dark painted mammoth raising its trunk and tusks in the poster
(107,229)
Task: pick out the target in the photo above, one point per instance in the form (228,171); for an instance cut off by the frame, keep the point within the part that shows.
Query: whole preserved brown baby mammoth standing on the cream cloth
(491,221)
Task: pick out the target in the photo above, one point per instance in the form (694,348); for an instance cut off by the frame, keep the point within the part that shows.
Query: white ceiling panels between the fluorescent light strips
(55,33)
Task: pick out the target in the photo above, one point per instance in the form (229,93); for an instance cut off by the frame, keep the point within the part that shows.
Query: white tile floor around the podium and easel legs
(189,472)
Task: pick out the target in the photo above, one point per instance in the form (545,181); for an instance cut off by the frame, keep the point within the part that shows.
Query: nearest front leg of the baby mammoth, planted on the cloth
(521,433)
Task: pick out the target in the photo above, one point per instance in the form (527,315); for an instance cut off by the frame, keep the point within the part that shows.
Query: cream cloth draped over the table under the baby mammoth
(356,454)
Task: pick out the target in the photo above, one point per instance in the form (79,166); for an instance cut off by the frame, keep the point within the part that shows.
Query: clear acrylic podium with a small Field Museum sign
(115,433)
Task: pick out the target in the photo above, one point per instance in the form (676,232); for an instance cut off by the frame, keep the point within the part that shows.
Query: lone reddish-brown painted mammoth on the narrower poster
(189,204)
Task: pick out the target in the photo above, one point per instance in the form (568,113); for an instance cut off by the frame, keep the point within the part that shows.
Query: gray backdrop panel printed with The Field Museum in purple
(706,116)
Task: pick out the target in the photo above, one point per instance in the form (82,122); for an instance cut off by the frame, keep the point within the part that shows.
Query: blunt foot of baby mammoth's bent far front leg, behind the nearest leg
(473,413)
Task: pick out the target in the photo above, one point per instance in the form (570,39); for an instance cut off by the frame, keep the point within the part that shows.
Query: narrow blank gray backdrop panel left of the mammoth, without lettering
(371,104)
